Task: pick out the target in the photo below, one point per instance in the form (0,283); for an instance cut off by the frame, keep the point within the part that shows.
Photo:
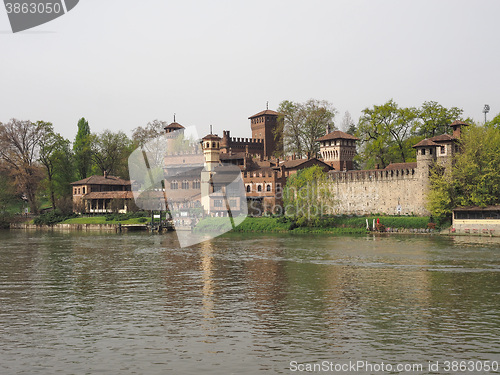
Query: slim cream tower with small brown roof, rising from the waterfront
(211,152)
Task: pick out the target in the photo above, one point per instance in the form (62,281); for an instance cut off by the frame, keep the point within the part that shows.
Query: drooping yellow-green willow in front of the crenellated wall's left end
(307,193)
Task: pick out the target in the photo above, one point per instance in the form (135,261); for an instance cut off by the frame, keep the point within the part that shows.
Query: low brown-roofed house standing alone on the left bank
(102,194)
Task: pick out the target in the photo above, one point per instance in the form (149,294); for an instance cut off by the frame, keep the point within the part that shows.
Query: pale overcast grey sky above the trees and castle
(123,63)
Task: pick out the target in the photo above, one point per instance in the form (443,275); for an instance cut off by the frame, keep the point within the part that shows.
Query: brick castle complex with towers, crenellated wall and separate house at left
(398,189)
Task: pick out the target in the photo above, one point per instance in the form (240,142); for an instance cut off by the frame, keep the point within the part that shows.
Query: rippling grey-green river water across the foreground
(79,303)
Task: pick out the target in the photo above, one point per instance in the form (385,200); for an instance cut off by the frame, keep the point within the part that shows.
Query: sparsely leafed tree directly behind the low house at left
(110,152)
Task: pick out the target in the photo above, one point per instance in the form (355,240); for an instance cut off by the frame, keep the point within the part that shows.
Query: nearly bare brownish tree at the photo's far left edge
(19,149)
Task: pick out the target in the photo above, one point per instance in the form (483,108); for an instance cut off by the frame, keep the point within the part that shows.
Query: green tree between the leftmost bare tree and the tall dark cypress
(55,156)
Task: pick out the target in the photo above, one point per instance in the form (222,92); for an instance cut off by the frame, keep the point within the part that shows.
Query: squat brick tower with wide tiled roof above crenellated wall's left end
(338,150)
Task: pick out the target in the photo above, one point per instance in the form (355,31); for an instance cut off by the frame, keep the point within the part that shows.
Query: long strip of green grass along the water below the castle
(336,225)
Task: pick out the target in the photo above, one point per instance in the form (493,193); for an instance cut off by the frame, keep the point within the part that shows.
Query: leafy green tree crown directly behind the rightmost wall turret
(436,119)
